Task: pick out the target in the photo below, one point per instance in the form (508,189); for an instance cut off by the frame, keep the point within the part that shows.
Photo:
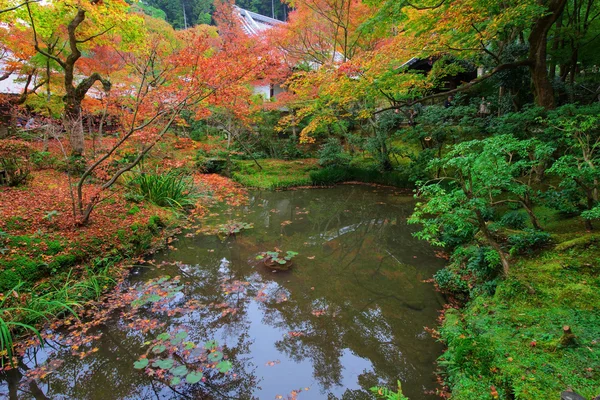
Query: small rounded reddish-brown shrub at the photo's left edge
(14,162)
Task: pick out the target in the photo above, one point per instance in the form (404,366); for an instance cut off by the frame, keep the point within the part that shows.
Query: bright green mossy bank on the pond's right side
(511,341)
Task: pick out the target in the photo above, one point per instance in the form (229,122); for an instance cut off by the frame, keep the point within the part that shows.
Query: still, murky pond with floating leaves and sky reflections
(350,313)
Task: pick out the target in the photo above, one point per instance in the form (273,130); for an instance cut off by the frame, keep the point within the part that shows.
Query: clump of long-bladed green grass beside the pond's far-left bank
(169,189)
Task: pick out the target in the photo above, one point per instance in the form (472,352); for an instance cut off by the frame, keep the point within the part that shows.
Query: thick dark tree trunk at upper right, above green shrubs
(543,90)
